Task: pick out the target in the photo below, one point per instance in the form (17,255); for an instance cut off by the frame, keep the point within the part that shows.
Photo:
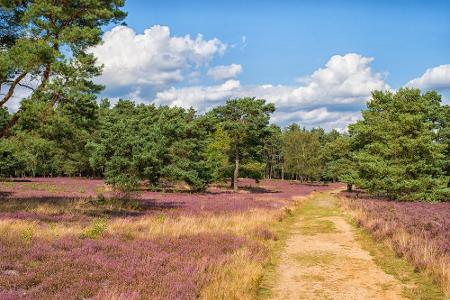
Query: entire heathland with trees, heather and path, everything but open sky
(114,199)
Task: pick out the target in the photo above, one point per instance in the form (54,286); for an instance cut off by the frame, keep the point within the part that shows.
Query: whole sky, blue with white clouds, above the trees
(316,60)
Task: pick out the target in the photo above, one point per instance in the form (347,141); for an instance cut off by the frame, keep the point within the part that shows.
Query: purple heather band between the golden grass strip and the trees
(66,199)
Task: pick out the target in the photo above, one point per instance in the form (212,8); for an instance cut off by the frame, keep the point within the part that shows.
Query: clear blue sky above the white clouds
(288,39)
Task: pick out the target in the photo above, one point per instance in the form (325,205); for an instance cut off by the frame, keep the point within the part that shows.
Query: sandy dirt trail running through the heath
(322,259)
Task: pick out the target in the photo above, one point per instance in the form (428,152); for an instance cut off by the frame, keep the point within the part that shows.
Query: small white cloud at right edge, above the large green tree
(433,78)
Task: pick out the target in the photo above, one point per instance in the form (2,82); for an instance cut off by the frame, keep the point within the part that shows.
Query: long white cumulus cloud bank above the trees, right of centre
(345,81)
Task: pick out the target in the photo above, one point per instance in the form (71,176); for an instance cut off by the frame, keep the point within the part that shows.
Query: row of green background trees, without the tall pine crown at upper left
(400,148)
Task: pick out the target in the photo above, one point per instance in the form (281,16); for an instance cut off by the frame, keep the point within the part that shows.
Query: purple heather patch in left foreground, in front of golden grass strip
(73,268)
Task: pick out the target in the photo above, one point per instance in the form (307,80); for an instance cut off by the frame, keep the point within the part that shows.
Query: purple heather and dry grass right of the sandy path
(417,230)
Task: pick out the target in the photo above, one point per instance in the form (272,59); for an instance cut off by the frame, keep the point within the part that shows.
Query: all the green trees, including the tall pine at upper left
(399,149)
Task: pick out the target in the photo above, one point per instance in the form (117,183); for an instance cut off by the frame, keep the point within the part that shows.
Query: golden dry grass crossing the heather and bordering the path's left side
(237,277)
